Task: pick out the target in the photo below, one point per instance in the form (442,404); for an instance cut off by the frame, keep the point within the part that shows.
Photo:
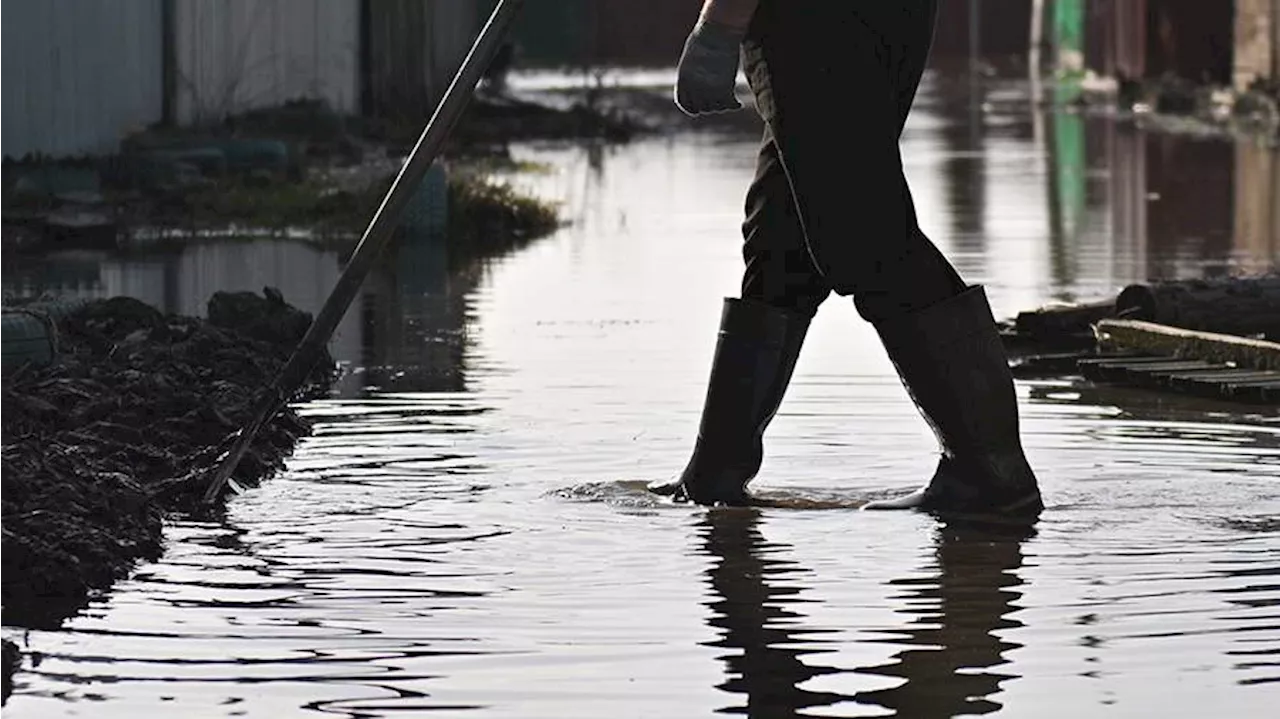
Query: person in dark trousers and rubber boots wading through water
(831,212)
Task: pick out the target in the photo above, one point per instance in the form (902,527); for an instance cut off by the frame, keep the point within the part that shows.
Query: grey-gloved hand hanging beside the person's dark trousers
(708,70)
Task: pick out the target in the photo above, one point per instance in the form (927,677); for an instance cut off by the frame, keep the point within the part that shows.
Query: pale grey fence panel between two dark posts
(232,56)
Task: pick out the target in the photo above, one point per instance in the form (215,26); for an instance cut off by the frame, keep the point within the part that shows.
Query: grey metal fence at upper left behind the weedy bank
(76,76)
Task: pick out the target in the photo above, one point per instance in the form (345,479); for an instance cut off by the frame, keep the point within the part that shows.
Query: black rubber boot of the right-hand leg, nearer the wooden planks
(953,363)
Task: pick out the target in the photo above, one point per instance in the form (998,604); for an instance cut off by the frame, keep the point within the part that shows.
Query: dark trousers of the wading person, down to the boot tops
(830,209)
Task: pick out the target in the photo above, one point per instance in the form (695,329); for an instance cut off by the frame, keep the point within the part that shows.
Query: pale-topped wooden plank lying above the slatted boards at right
(1187,345)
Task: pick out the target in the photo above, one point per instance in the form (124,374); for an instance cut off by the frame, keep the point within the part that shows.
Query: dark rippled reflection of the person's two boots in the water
(954,612)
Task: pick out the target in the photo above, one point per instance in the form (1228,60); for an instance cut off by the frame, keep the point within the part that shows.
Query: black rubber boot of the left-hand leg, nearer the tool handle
(755,359)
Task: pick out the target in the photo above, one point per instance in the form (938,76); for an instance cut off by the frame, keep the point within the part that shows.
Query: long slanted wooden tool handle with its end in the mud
(376,237)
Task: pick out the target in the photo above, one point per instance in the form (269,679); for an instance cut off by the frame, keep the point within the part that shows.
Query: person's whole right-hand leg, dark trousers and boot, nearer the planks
(835,84)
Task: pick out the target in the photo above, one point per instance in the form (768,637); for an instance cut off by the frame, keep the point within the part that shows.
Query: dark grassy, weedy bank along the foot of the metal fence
(299,171)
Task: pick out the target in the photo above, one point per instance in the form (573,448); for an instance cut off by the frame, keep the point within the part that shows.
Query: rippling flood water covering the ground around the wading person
(465,533)
